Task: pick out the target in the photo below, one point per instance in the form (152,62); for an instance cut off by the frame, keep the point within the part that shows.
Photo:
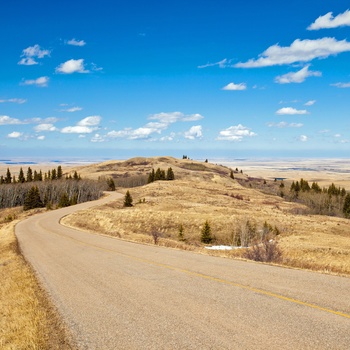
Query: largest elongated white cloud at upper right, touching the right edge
(299,51)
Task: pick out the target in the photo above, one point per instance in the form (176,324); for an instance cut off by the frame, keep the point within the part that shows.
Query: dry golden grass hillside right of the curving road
(312,242)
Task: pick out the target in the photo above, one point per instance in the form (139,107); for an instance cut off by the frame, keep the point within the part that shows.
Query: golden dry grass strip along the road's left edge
(27,321)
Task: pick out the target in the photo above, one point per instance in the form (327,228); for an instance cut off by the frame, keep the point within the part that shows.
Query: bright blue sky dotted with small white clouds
(208,79)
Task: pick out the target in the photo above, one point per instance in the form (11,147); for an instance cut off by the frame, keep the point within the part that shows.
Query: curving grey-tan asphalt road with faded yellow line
(114,294)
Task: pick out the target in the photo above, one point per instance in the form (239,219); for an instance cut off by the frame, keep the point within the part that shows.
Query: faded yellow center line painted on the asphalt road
(215,279)
